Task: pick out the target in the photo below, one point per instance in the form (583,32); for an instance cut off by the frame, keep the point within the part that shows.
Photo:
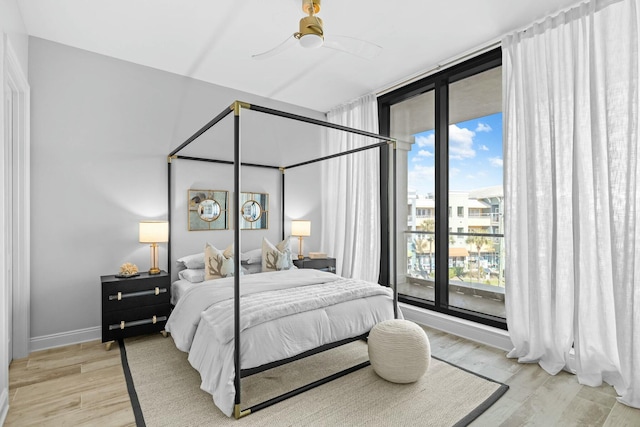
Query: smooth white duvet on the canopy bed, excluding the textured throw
(195,325)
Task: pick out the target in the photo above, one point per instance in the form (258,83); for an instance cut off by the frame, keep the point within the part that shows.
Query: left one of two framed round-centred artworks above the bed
(208,210)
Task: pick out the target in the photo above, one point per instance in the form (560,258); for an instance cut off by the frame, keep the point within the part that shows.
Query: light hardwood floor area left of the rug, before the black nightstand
(77,385)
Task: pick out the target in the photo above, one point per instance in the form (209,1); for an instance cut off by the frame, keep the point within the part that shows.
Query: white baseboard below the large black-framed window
(483,334)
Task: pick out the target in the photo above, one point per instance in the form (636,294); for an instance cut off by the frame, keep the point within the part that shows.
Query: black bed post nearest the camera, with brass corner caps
(236,107)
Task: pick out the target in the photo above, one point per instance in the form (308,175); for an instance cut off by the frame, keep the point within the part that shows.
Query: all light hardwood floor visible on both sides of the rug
(83,385)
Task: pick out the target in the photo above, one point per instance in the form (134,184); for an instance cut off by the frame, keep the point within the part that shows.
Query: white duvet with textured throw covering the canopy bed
(313,308)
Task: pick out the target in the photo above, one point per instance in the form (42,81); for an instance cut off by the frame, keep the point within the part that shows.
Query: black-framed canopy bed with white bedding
(225,327)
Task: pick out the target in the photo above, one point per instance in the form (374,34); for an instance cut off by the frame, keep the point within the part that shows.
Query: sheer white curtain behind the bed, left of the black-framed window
(351,188)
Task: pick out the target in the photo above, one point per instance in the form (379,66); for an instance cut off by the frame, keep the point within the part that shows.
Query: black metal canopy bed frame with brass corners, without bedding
(236,107)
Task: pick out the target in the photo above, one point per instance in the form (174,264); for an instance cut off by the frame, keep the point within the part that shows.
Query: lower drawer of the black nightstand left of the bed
(128,323)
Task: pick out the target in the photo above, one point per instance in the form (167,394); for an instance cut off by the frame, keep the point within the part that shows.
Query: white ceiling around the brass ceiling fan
(214,40)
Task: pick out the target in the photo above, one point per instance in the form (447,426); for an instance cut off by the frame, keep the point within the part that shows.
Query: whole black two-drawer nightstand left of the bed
(134,306)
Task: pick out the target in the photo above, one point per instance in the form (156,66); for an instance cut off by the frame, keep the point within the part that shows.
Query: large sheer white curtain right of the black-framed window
(572,184)
